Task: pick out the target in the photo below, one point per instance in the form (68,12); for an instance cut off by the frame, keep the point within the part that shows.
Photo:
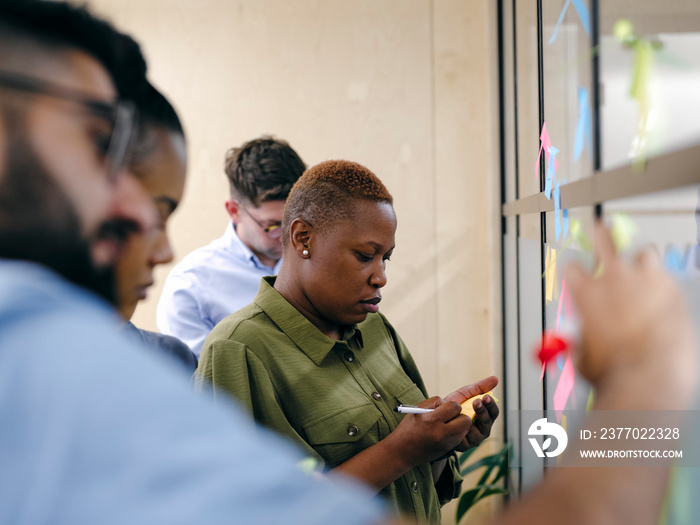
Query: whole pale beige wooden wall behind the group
(406,87)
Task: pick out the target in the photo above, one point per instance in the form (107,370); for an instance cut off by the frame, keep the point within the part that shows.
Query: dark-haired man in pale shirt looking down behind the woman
(218,279)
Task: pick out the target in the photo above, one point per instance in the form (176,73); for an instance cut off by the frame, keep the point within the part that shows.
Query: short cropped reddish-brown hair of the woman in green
(327,193)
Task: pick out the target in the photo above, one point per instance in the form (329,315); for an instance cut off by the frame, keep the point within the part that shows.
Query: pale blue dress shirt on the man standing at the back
(207,286)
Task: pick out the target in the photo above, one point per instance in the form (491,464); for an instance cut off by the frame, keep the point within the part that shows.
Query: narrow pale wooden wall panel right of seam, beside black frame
(467,207)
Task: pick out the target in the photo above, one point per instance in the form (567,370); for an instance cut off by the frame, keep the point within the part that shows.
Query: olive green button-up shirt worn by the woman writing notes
(333,398)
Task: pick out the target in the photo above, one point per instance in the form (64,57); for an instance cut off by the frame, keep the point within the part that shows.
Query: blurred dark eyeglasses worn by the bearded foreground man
(121,115)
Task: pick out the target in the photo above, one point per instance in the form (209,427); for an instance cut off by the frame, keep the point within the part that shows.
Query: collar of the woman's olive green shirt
(298,328)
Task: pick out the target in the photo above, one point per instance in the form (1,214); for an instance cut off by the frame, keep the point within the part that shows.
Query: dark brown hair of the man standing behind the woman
(264,169)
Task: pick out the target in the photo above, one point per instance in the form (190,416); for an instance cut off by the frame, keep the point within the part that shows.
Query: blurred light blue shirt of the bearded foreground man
(95,429)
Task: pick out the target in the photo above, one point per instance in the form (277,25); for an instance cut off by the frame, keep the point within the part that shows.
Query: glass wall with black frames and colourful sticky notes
(600,117)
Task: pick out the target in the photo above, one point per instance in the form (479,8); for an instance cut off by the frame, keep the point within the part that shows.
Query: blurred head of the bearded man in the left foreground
(67,200)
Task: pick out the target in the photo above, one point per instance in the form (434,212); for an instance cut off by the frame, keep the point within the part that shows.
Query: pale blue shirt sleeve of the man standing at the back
(180,312)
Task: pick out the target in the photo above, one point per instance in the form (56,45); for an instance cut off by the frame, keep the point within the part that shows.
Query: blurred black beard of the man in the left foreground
(38,222)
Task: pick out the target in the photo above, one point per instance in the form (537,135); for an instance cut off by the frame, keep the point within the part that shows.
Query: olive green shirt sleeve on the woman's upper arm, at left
(228,368)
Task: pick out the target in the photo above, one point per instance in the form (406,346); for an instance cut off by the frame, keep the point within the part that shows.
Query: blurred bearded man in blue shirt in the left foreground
(95,429)
